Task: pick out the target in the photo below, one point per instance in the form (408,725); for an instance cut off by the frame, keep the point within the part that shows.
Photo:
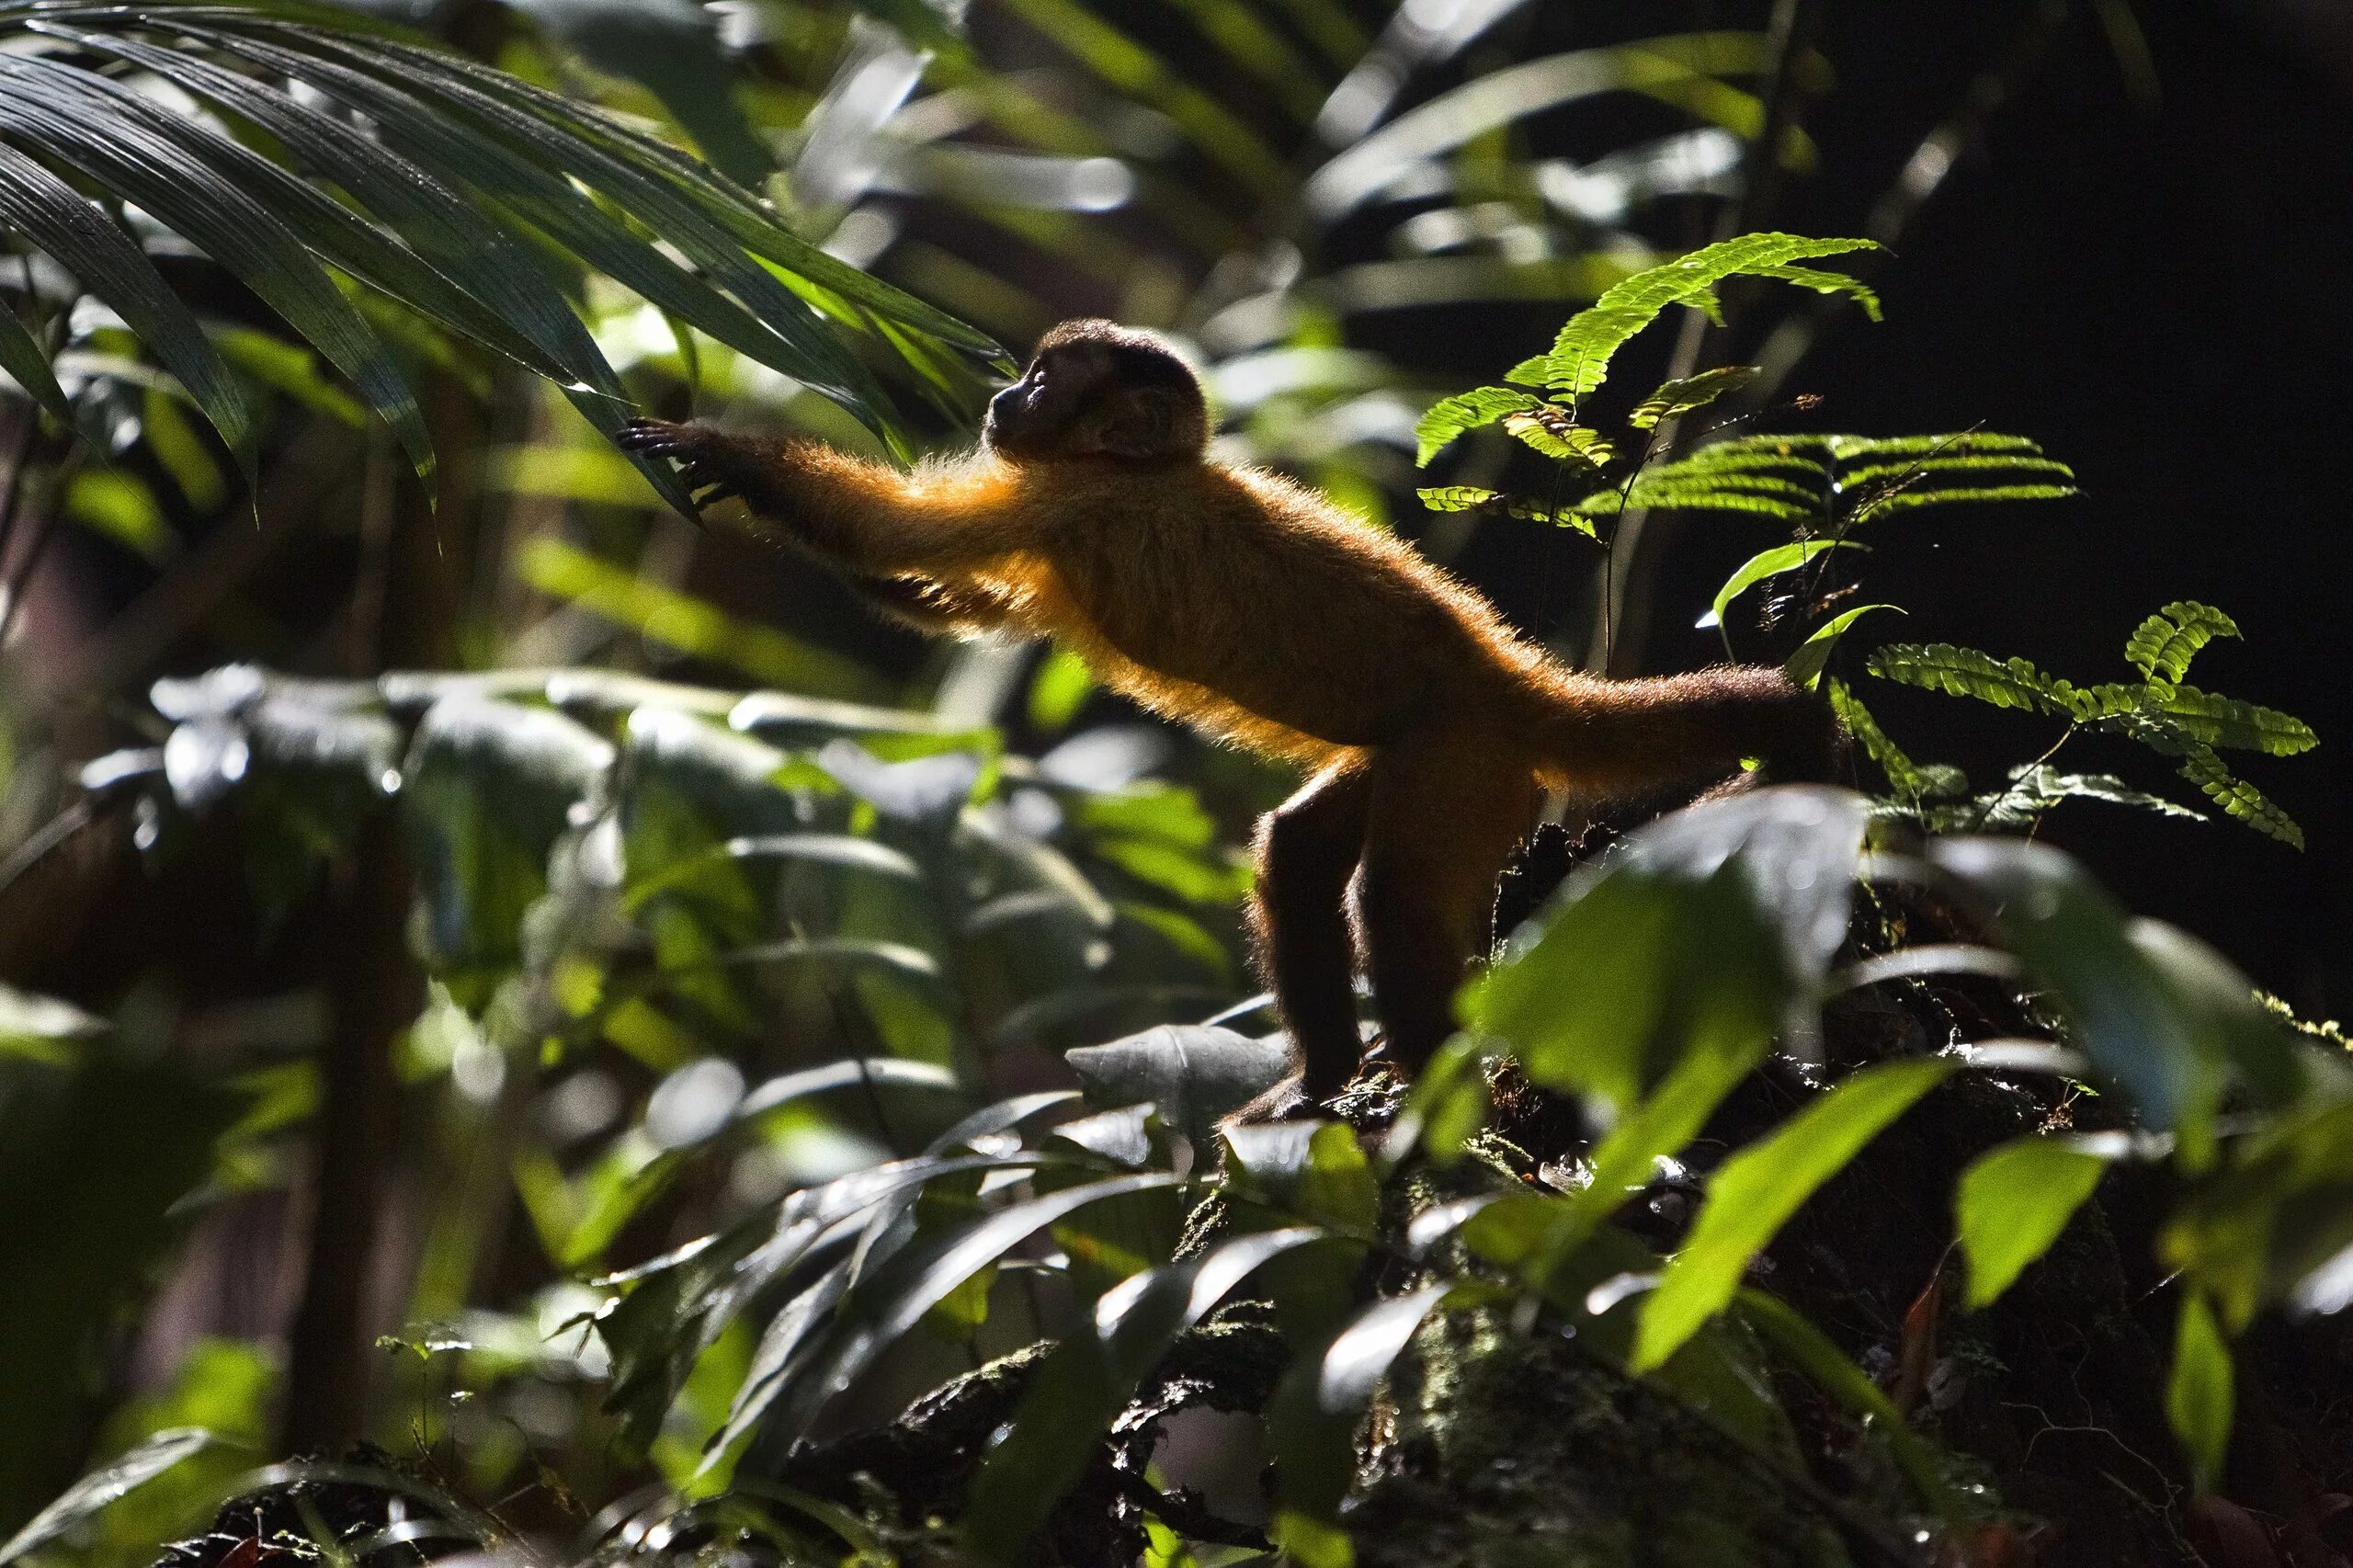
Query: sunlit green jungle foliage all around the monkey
(811,1101)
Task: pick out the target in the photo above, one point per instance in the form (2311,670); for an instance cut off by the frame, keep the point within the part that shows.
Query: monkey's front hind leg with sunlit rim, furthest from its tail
(1307,853)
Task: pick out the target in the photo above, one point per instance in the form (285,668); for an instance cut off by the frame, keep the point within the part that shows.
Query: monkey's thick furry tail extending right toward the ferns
(1618,738)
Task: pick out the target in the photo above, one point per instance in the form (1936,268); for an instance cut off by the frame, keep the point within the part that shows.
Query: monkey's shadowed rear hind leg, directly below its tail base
(1446,813)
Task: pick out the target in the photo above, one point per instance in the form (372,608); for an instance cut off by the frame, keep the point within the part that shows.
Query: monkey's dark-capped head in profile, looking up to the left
(1100,390)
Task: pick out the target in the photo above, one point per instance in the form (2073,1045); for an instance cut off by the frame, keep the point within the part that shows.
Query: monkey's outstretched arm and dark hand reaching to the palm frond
(867,519)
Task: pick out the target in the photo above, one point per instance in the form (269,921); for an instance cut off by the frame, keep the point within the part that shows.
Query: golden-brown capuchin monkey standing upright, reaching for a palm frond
(1258,611)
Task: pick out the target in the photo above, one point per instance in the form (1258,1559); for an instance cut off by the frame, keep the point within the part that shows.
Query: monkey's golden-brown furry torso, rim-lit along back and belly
(1255,609)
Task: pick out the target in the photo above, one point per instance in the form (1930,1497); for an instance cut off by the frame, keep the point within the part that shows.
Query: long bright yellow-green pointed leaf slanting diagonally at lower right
(1754,1195)
